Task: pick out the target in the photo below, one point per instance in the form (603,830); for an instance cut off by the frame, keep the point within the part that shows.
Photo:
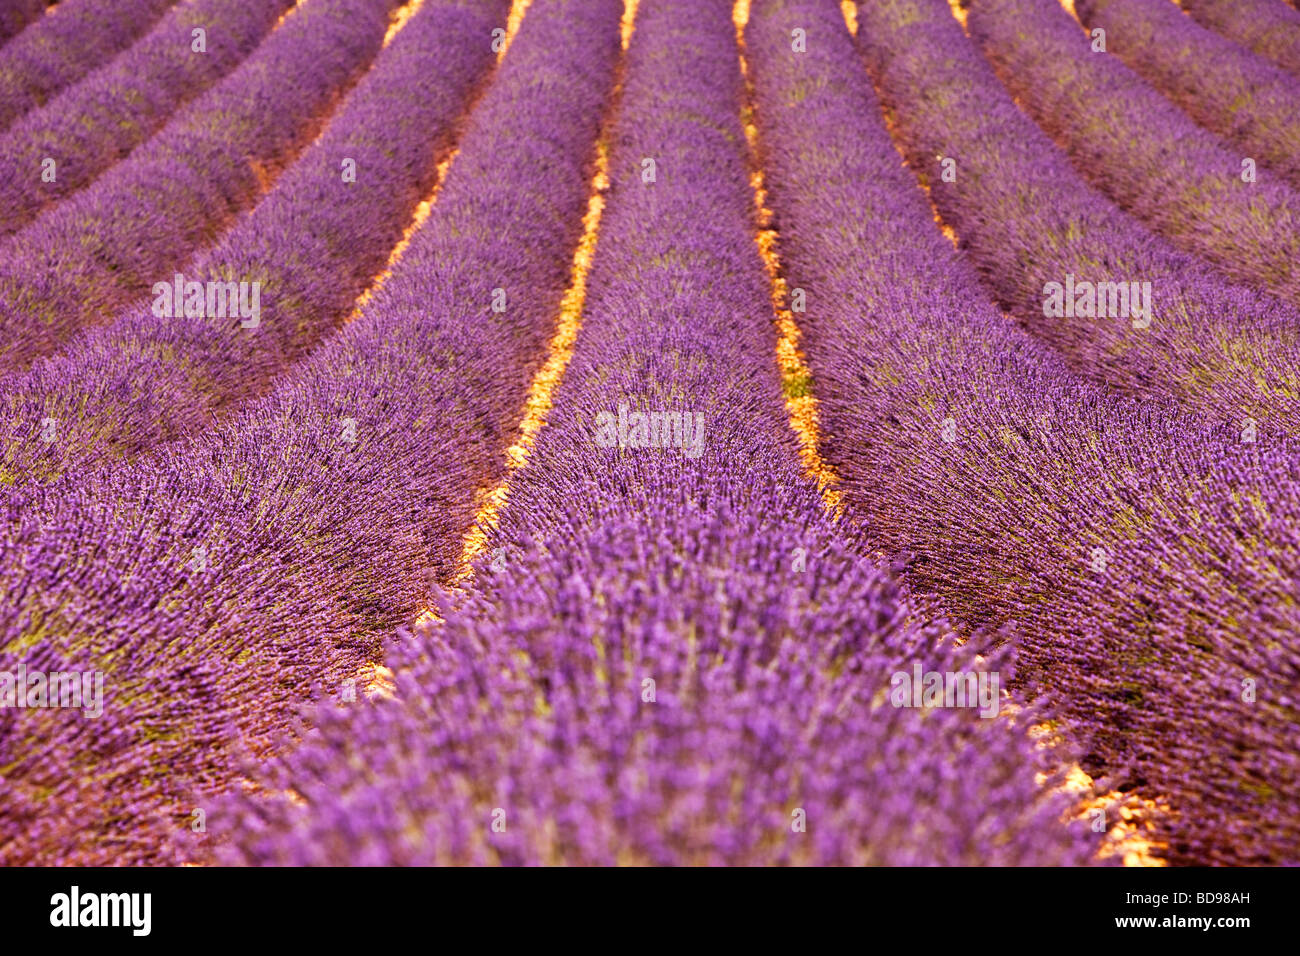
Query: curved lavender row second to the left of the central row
(313,246)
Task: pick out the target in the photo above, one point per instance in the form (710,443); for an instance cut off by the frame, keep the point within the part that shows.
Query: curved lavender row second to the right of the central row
(1028,220)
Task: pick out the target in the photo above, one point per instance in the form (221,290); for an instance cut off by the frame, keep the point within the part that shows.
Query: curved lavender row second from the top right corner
(1227,89)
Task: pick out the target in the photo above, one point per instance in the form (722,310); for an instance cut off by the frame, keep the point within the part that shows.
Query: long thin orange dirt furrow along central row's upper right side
(796,377)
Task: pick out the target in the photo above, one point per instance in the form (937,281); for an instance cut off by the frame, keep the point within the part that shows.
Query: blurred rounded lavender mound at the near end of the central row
(530,706)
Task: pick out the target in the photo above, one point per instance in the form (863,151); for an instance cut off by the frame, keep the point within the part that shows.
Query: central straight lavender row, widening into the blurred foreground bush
(649,674)
